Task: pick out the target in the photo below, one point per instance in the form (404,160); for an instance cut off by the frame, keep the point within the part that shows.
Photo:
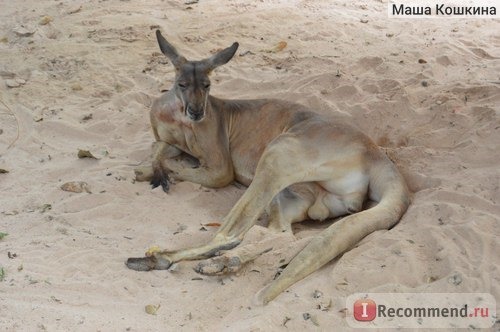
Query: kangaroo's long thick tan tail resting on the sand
(388,188)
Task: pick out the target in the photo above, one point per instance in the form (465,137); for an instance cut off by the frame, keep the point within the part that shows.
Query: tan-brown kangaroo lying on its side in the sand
(298,164)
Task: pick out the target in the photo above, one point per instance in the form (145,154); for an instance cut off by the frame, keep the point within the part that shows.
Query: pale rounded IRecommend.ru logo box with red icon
(421,310)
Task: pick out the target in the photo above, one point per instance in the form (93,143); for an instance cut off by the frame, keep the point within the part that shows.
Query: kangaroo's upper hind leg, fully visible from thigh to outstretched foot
(276,171)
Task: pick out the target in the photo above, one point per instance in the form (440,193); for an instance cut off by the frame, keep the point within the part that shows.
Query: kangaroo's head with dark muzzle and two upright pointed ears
(192,85)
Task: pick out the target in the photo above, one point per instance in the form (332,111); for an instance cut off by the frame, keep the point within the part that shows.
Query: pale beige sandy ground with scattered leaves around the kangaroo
(82,74)
